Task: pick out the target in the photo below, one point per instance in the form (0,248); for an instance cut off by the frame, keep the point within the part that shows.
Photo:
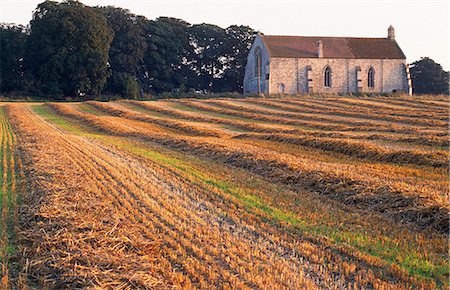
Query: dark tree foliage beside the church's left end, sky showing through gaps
(202,57)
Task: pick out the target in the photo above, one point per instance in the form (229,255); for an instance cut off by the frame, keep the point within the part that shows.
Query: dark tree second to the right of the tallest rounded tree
(166,58)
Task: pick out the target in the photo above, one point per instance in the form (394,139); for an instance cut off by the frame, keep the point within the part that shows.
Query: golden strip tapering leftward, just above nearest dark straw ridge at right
(422,181)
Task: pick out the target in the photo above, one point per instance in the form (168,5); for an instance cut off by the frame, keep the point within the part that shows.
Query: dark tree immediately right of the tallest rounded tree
(127,50)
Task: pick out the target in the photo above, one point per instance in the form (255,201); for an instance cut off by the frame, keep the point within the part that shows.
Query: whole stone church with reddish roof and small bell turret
(303,64)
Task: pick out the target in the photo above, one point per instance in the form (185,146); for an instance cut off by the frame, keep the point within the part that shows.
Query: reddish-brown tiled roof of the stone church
(333,47)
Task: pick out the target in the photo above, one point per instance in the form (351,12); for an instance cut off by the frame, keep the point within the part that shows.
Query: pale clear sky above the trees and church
(421,27)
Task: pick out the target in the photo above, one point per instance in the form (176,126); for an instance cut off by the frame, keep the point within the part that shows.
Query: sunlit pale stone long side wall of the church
(292,75)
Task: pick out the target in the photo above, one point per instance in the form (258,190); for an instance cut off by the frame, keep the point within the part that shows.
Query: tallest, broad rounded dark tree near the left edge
(68,49)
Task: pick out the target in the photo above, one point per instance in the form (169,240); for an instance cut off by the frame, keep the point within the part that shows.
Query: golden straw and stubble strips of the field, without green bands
(104,213)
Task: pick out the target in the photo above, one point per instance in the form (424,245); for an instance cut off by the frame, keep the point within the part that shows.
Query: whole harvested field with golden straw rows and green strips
(289,193)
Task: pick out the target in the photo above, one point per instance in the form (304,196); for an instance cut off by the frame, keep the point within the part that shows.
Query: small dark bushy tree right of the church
(428,77)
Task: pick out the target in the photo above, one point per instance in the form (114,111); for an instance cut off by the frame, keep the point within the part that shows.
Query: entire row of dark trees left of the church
(77,51)
